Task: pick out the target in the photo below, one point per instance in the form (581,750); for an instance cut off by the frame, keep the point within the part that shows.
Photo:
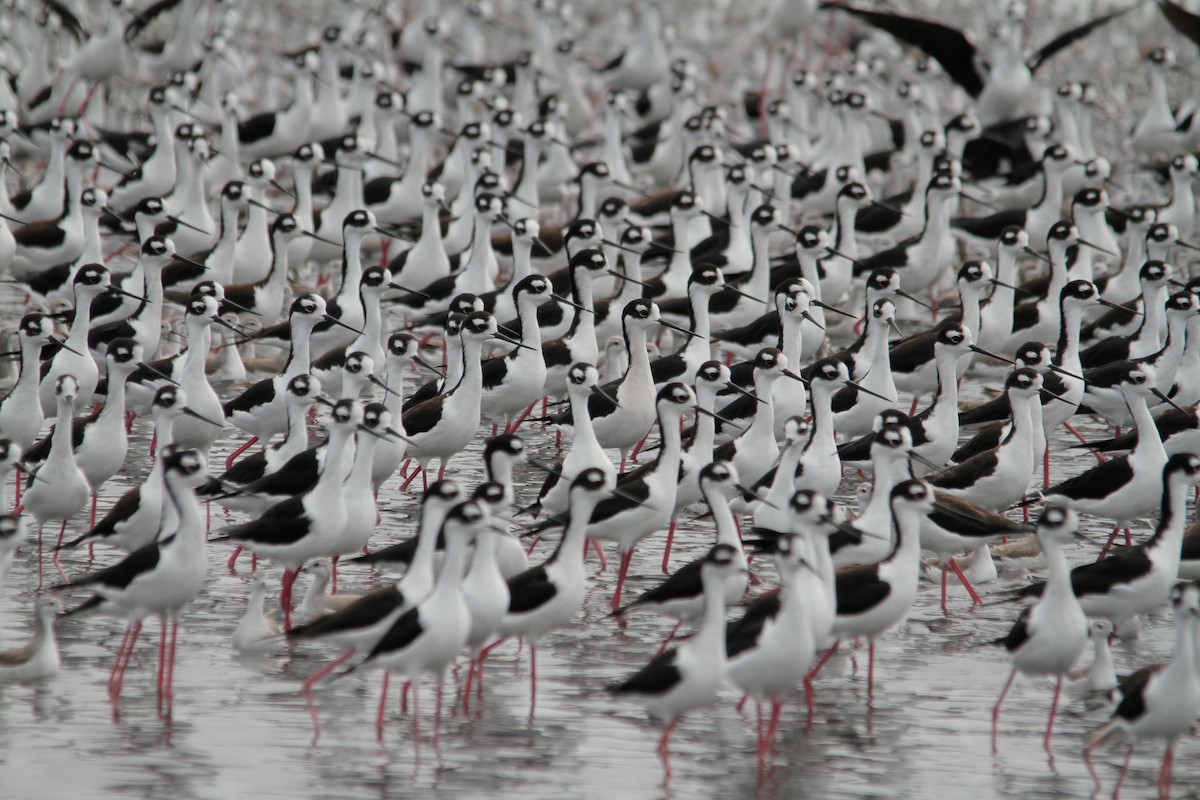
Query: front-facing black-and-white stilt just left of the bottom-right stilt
(1049,637)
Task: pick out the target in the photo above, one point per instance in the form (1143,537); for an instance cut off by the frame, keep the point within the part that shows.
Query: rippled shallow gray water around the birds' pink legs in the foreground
(241,729)
